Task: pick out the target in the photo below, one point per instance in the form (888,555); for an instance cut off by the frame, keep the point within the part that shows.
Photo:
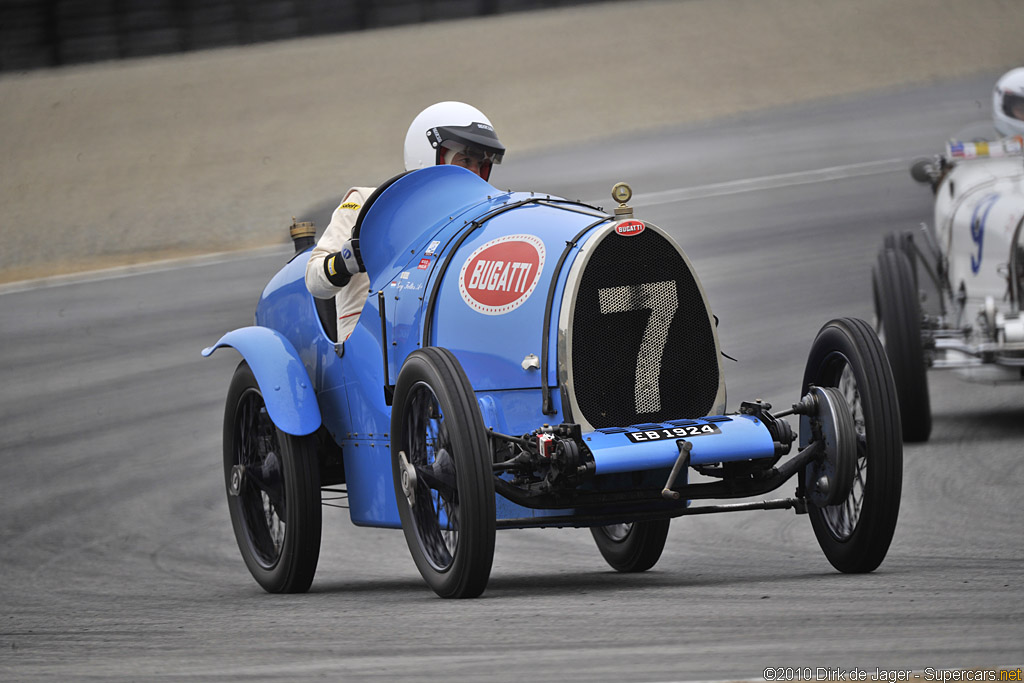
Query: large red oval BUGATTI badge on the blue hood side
(501,275)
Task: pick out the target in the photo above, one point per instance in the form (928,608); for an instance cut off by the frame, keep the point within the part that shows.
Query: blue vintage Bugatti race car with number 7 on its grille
(525,361)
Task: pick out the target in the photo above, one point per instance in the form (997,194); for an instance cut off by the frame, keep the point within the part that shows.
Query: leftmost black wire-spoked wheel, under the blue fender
(277,511)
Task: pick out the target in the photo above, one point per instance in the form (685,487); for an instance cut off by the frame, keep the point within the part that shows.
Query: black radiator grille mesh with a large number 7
(644,350)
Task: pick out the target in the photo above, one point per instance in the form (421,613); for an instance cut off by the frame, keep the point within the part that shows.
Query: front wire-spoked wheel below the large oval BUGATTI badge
(437,426)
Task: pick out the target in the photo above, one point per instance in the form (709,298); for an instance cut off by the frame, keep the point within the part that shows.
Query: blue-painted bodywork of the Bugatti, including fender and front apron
(417,241)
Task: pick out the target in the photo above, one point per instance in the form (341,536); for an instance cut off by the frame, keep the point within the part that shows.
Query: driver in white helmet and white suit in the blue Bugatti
(444,134)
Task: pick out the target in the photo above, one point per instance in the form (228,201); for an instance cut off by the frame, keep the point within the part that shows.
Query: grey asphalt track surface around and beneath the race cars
(118,557)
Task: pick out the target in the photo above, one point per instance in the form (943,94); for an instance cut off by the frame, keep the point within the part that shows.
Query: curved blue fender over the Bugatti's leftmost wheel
(287,391)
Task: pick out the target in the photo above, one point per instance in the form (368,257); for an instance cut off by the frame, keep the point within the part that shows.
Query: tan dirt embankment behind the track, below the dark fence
(125,162)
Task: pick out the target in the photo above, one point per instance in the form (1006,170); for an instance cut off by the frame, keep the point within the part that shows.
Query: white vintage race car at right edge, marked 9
(949,297)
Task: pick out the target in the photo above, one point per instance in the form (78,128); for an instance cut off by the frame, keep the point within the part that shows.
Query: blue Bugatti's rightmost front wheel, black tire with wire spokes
(856,534)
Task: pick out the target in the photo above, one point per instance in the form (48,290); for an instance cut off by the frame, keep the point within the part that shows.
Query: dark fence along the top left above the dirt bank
(52,33)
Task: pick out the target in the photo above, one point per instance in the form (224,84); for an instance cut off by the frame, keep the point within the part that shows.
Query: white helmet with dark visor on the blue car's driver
(448,129)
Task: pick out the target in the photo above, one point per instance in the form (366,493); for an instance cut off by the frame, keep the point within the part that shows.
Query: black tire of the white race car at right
(898,311)
